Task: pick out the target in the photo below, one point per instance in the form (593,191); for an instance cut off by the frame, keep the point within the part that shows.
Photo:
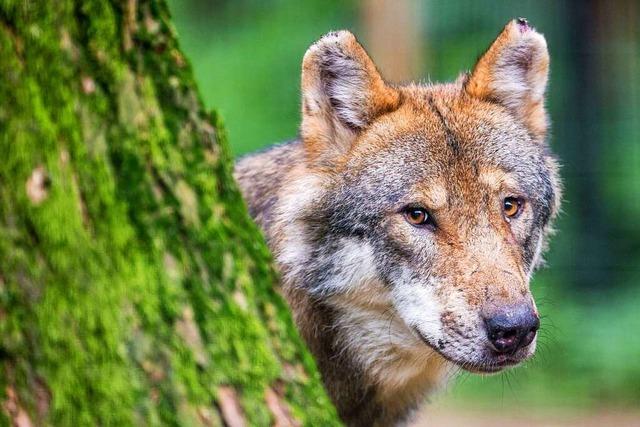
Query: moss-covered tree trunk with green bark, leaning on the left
(134,290)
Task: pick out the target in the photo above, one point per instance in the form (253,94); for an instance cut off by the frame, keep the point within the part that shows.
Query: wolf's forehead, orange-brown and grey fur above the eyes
(446,145)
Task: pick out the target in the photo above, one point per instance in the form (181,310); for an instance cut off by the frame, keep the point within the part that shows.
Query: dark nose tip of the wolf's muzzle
(512,329)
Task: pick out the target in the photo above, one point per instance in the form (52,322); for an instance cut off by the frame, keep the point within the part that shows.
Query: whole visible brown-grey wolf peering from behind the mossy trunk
(406,220)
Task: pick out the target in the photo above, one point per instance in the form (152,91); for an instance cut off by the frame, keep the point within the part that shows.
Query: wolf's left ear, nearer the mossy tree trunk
(342,93)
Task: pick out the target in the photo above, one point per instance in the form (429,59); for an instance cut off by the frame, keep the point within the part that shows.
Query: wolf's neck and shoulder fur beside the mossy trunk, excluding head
(374,368)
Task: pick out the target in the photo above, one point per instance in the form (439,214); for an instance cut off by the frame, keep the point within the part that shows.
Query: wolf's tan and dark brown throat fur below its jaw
(375,370)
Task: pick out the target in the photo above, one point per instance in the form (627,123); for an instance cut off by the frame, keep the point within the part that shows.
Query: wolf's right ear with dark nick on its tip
(513,72)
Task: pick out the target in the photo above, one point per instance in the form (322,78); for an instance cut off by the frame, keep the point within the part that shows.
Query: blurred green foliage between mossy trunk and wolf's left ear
(250,68)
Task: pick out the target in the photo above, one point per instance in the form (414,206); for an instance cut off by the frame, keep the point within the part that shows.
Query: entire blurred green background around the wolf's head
(246,55)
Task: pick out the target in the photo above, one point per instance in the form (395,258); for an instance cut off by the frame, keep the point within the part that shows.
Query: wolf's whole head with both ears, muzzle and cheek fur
(428,203)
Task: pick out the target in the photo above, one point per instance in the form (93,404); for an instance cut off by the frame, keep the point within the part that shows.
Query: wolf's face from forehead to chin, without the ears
(445,202)
